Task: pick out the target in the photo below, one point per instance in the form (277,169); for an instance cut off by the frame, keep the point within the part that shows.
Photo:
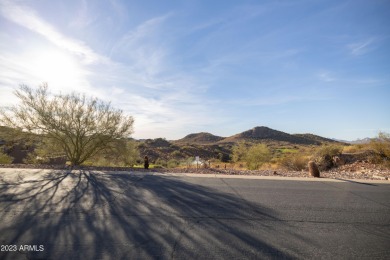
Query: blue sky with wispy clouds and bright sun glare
(223,67)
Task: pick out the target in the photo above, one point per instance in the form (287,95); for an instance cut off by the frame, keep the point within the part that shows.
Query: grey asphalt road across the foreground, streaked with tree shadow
(89,215)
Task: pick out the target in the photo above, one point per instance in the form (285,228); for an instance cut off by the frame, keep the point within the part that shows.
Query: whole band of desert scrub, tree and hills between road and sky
(74,129)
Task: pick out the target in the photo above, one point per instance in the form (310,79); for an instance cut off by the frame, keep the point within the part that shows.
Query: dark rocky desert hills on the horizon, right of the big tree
(209,146)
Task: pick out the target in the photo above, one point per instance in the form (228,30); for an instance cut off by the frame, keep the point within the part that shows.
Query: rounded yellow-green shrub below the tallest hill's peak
(256,156)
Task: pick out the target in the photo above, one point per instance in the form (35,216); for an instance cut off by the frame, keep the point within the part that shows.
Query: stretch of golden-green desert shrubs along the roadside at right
(296,157)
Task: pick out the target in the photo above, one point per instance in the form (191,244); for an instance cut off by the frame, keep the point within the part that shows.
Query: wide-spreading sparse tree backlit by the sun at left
(81,127)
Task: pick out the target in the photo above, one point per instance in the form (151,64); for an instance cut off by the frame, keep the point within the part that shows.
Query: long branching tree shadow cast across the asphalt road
(94,215)
